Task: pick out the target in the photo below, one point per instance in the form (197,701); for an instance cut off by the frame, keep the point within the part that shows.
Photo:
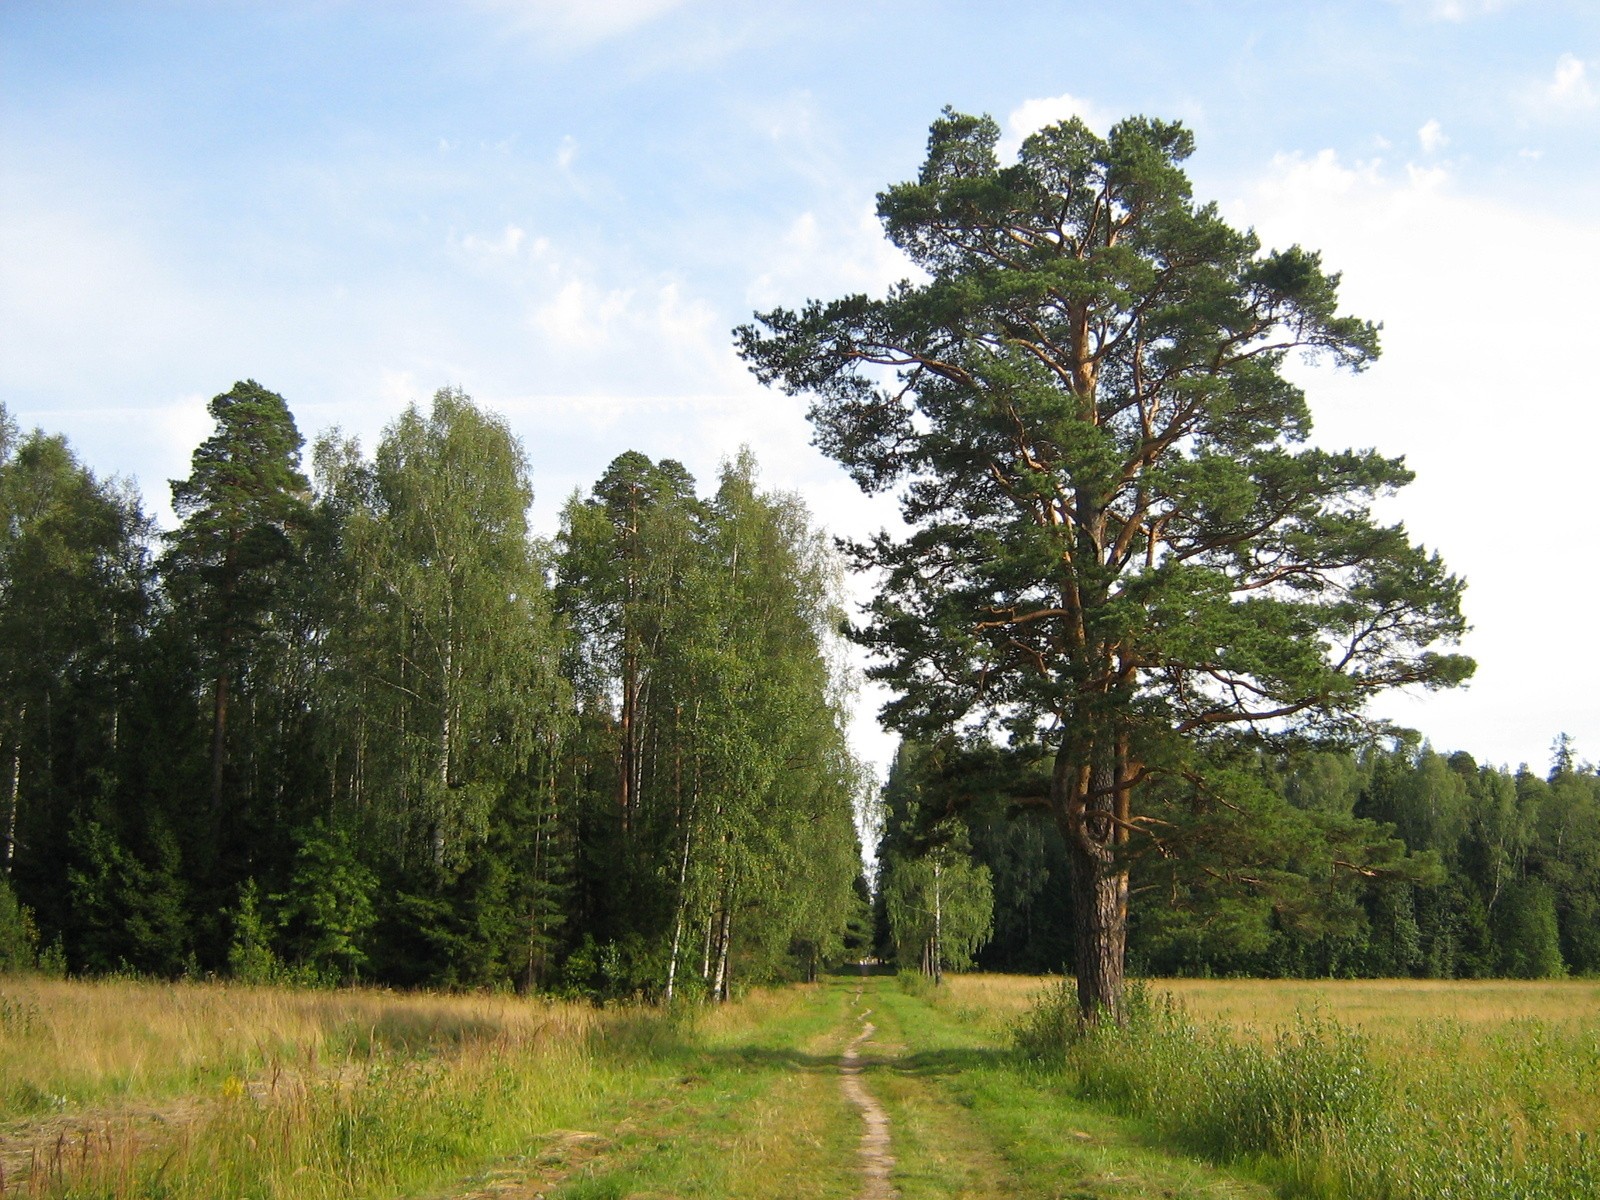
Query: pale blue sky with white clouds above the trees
(566,206)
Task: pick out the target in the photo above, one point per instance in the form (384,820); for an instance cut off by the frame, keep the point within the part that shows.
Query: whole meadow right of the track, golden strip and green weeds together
(1348,1089)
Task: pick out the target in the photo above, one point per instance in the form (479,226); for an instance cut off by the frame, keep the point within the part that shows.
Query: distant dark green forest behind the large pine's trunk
(1462,870)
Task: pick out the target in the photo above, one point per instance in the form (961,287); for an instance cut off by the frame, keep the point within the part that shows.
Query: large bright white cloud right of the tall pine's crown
(1487,409)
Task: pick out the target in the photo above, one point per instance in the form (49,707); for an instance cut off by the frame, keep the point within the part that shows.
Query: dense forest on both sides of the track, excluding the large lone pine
(366,726)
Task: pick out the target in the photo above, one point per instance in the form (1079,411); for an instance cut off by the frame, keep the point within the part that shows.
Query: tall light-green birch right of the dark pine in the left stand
(449,682)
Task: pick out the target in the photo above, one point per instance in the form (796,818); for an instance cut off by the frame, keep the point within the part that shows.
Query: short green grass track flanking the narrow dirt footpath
(764,1116)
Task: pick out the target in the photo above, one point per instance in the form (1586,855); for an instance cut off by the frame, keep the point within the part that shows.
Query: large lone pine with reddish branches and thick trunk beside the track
(1121,553)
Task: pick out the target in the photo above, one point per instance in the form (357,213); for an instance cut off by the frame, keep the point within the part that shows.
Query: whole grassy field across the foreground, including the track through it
(1233,1089)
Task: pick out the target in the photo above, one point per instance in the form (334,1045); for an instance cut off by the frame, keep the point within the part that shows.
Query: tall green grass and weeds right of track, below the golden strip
(1444,1111)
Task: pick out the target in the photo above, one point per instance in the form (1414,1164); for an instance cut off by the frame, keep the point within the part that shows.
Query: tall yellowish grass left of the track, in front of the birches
(143,1090)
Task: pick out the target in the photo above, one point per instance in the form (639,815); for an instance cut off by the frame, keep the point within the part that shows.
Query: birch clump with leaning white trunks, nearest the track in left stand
(721,785)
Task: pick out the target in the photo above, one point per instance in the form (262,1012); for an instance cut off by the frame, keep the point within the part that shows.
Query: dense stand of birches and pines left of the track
(366,726)
